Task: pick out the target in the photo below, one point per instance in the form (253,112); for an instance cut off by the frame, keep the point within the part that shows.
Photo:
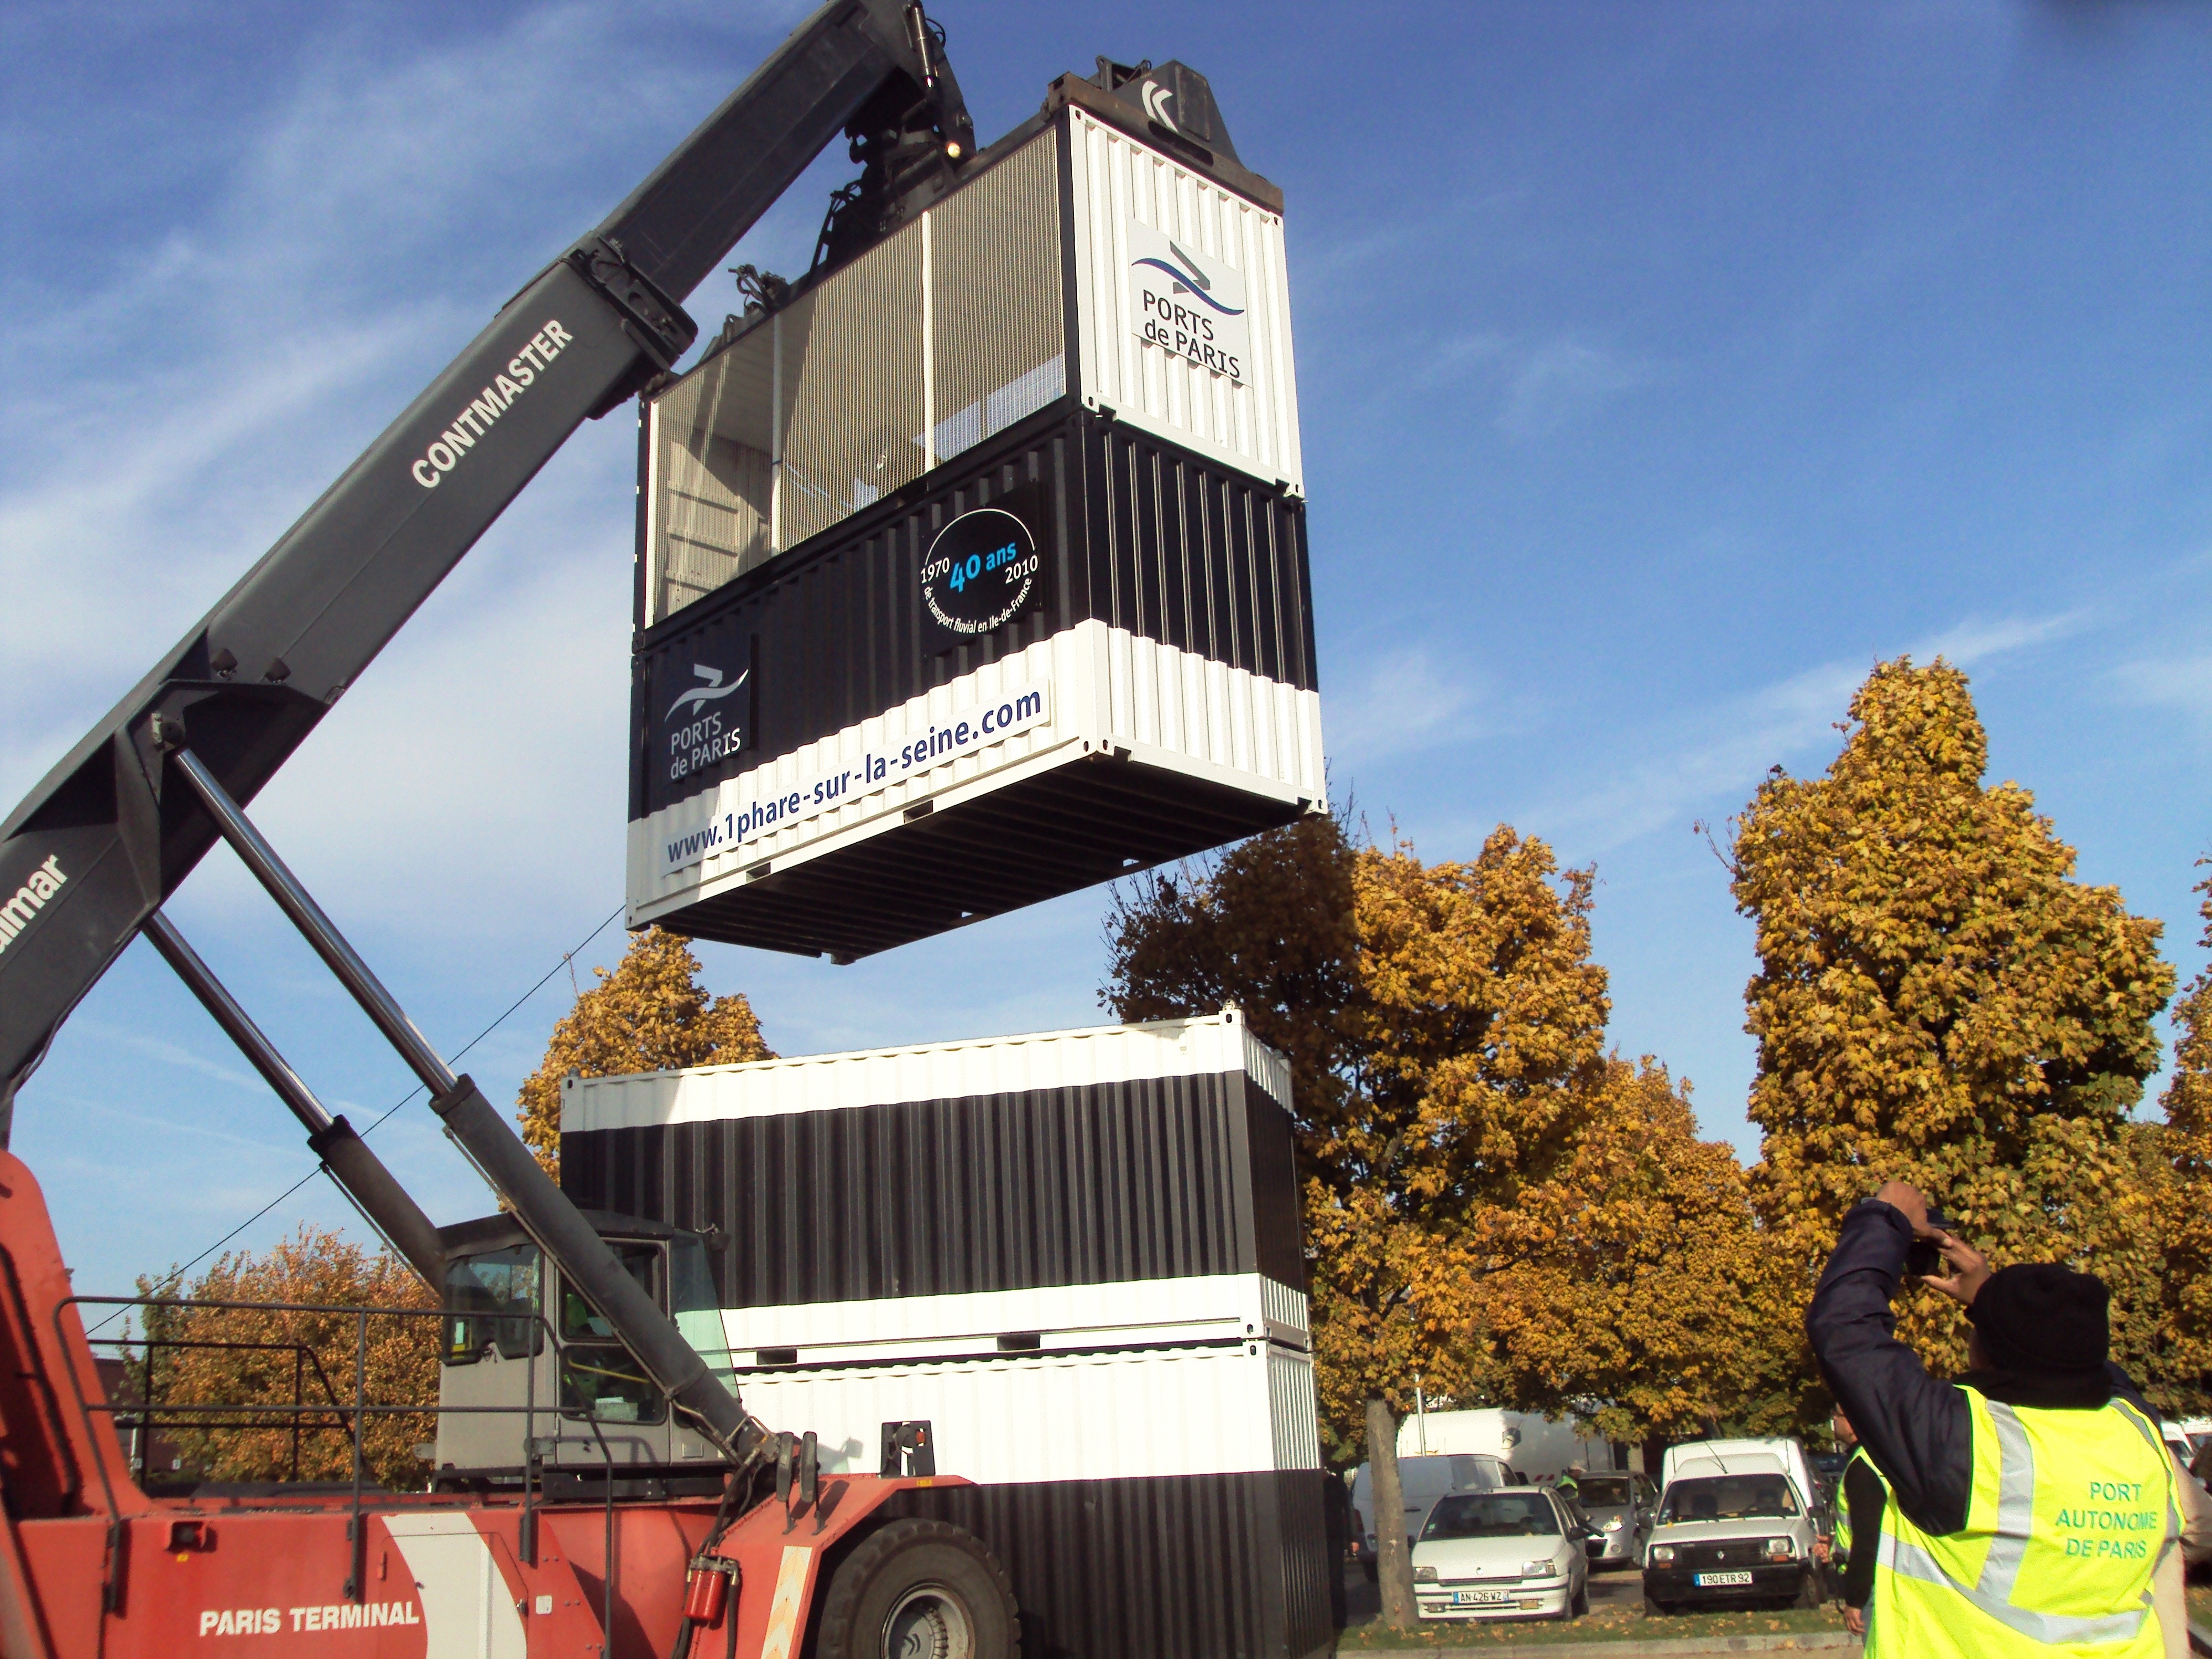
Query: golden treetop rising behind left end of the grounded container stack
(649,1014)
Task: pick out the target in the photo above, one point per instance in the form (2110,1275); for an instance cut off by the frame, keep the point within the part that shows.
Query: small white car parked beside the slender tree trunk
(1514,1554)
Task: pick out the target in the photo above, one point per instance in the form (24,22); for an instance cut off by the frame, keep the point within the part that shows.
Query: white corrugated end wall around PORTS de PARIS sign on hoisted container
(1123,182)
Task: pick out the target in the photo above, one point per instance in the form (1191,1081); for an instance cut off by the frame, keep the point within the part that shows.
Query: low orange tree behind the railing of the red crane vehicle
(196,1361)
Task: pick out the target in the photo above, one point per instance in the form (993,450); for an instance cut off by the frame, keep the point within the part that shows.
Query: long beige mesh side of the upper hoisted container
(928,344)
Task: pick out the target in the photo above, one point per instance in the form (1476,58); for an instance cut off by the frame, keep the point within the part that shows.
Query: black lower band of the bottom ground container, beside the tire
(1189,1567)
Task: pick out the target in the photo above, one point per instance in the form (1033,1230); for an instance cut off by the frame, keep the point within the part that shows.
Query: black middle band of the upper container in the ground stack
(1160,1178)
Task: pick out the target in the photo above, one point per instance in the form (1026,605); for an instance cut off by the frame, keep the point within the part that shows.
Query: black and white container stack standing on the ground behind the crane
(1074,1255)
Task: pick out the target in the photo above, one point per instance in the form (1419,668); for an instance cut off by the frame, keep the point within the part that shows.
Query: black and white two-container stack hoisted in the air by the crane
(977,572)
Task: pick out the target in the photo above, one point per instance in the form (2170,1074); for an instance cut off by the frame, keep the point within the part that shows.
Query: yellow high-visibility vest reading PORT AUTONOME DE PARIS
(2065,1530)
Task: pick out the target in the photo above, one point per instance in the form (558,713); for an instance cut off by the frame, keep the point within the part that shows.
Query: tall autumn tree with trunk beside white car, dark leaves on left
(1446,1027)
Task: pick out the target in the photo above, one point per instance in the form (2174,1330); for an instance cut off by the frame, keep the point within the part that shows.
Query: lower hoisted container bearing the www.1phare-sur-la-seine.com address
(1204,669)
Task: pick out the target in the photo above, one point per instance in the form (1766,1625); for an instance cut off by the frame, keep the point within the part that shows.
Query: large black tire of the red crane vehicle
(919,1592)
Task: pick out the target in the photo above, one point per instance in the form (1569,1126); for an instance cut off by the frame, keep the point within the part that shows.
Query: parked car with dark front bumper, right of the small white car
(1729,1536)
